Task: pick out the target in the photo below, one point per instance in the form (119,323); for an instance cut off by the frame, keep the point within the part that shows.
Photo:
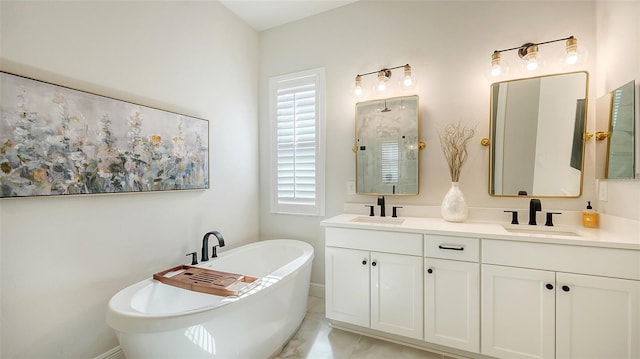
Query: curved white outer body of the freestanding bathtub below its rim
(254,326)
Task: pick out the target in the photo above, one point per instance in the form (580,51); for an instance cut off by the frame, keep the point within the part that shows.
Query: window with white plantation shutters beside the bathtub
(298,161)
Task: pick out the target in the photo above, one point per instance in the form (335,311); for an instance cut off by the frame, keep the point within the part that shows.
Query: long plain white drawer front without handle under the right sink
(608,262)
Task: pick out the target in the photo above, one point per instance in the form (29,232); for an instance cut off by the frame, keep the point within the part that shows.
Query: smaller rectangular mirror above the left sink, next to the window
(387,146)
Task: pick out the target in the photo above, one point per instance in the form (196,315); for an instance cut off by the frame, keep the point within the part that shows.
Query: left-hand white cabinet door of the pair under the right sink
(518,312)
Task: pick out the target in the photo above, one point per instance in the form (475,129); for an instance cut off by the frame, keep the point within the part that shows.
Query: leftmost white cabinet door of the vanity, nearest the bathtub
(347,285)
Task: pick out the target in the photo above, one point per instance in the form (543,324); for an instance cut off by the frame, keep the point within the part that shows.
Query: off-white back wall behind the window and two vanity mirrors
(449,46)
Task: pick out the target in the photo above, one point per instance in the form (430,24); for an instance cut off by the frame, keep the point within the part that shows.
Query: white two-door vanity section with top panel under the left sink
(374,279)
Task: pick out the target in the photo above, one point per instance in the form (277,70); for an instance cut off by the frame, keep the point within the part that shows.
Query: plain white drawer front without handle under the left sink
(381,241)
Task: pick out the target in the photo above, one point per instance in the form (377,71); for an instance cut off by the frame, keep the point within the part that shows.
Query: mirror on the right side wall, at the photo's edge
(615,138)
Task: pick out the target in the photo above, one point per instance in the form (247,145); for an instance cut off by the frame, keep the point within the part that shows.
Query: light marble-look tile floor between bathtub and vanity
(316,340)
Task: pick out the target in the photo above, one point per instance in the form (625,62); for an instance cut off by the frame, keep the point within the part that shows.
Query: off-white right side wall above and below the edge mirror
(618,36)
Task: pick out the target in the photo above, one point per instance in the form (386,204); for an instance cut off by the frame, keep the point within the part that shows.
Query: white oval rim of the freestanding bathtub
(122,317)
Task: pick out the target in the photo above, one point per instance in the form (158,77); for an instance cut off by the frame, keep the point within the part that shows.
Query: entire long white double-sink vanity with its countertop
(478,290)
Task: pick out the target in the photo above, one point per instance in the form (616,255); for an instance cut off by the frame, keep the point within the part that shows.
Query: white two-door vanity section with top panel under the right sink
(556,301)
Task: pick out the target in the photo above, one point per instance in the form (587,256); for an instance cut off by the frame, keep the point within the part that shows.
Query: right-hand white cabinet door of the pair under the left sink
(396,294)
